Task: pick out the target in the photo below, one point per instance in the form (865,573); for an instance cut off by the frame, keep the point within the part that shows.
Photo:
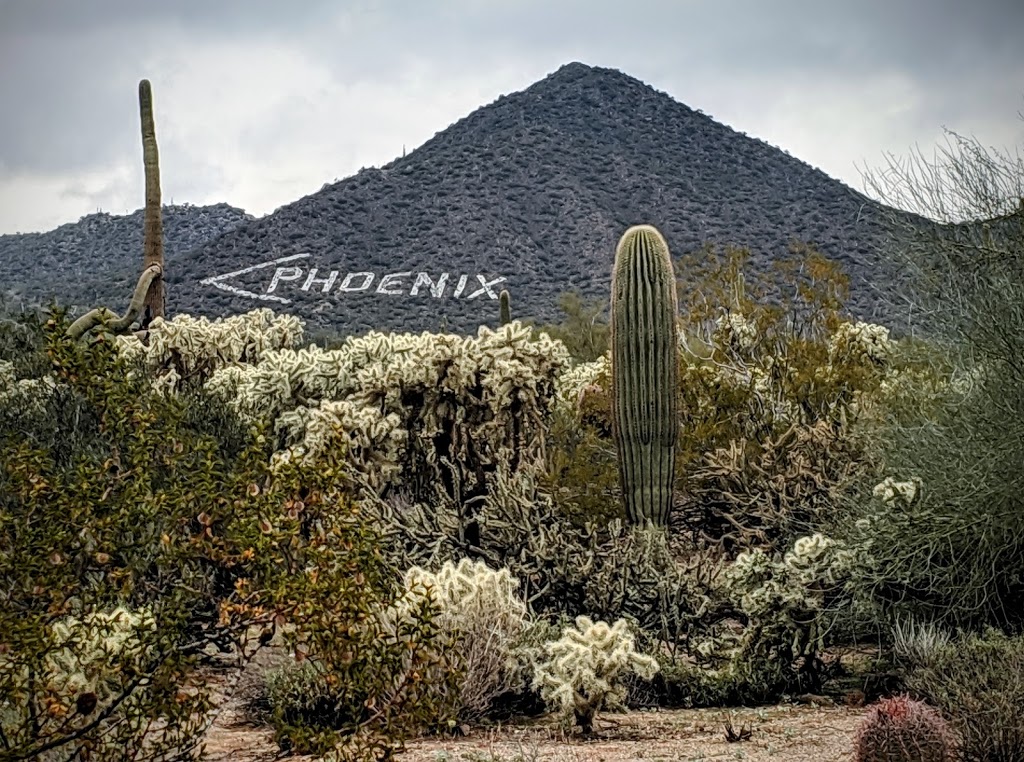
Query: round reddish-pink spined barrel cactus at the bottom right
(902,730)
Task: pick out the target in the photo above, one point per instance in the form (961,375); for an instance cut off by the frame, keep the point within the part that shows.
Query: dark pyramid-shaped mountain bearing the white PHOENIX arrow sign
(529,194)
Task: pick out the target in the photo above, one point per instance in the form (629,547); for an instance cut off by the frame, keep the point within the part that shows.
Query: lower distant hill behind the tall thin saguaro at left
(98,260)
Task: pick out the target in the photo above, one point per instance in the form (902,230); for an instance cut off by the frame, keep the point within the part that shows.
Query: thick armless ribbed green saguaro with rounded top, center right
(645,371)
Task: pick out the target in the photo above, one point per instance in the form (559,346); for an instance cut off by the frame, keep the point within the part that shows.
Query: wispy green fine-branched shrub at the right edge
(955,555)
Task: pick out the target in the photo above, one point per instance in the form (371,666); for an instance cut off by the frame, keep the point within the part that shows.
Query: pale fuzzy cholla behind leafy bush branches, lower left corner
(88,654)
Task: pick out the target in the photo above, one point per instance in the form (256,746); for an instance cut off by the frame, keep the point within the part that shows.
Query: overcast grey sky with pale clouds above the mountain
(260,103)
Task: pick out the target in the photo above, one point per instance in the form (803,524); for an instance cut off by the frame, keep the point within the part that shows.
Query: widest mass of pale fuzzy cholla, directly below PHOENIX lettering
(375,390)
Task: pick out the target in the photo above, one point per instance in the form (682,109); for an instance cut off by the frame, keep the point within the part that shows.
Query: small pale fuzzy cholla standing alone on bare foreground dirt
(583,671)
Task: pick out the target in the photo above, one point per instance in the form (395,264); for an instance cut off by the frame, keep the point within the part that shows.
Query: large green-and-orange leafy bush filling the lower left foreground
(135,543)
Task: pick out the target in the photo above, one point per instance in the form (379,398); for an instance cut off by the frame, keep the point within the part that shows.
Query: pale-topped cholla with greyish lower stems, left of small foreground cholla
(483,610)
